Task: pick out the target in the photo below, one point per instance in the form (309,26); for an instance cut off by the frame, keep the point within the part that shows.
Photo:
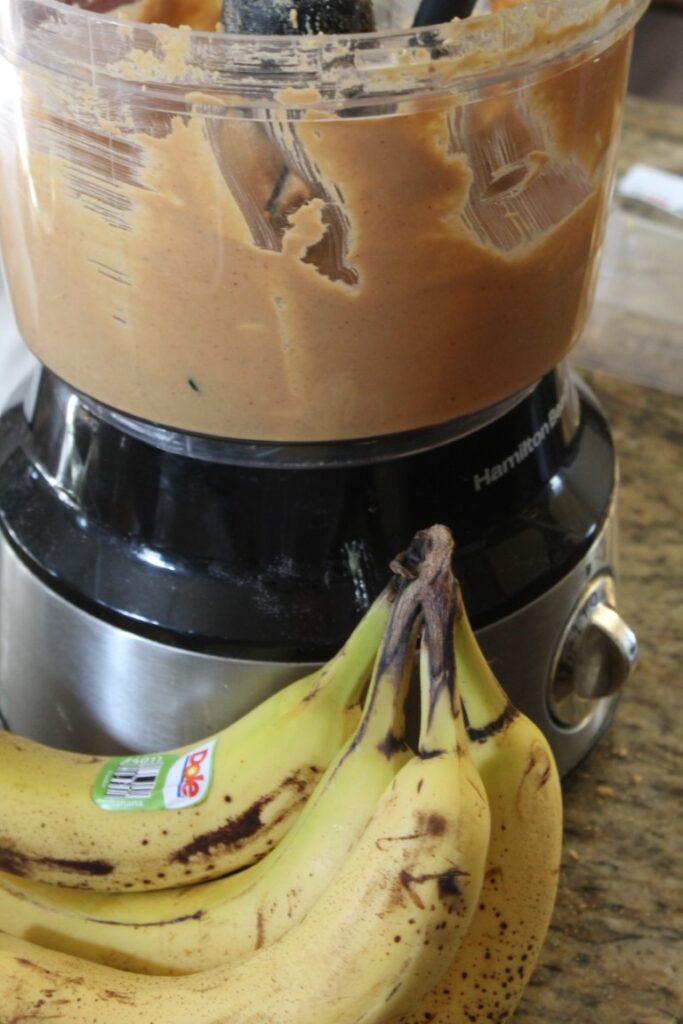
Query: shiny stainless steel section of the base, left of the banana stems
(77,682)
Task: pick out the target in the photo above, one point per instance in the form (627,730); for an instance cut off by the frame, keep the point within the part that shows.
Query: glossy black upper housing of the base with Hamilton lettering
(274,552)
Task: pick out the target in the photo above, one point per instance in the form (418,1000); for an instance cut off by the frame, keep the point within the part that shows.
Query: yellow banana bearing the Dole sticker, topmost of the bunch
(266,765)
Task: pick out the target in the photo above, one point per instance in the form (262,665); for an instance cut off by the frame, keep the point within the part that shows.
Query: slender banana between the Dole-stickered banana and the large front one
(181,931)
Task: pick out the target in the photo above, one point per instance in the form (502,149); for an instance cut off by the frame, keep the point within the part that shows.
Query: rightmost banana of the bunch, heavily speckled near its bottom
(497,958)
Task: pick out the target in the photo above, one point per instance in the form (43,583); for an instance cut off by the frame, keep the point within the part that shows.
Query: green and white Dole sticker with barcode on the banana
(155,782)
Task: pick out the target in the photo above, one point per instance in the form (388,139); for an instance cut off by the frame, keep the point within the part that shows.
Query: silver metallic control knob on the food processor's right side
(595,656)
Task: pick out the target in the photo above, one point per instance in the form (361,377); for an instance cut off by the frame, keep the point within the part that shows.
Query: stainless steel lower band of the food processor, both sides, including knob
(75,681)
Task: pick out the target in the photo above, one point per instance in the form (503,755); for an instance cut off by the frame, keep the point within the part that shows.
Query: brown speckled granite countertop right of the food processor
(615,954)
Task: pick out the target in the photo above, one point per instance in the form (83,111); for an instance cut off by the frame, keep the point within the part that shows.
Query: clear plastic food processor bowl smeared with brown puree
(306,239)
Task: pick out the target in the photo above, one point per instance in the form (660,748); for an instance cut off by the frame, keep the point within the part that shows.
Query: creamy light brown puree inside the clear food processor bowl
(441,262)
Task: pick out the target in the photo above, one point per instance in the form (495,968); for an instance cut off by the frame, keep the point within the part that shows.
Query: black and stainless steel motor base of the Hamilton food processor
(127,625)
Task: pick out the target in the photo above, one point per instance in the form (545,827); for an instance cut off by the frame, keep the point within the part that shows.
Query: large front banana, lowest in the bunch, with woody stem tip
(381,933)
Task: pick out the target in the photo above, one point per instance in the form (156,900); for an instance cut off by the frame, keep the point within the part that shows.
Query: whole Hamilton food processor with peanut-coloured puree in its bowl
(295,297)
